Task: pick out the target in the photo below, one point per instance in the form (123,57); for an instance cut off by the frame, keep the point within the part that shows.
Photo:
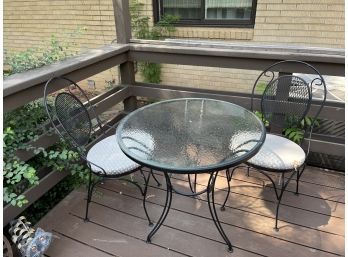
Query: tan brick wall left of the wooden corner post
(81,24)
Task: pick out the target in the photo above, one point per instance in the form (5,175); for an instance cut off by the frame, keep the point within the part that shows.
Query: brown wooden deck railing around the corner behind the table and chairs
(23,88)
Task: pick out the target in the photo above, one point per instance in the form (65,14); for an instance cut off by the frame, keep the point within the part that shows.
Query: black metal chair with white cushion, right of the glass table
(285,103)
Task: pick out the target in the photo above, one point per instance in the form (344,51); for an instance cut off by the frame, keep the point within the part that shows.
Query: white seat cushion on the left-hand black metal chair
(108,155)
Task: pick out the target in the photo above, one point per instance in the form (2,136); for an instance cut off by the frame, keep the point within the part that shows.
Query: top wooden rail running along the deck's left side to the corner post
(22,88)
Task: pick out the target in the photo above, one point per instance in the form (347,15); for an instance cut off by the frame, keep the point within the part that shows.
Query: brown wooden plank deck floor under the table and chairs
(311,224)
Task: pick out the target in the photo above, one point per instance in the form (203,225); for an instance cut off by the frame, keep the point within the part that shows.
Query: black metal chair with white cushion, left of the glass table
(76,122)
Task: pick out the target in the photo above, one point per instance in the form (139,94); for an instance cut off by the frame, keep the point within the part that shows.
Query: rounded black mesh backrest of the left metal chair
(70,112)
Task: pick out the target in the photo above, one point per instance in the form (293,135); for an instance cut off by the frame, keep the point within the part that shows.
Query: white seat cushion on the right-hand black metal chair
(278,153)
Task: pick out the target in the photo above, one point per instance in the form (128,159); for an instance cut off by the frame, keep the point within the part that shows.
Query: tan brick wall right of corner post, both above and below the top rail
(318,23)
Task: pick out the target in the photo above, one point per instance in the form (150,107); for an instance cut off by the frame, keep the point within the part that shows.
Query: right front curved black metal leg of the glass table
(212,209)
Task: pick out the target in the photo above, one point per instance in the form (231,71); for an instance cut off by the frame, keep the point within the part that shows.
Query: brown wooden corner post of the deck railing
(124,34)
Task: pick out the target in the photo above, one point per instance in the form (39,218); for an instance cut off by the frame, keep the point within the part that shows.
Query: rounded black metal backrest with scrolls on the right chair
(287,98)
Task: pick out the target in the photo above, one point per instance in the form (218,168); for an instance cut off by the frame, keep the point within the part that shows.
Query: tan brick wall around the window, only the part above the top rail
(299,22)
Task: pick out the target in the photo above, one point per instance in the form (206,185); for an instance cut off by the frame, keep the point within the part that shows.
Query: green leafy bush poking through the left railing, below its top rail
(22,127)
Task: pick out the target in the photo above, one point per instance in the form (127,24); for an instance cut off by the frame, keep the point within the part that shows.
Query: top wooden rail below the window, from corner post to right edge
(327,61)
